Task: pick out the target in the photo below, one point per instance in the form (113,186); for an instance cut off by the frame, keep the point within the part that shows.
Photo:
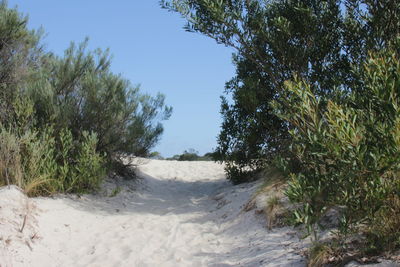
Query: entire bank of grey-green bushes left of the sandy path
(66,121)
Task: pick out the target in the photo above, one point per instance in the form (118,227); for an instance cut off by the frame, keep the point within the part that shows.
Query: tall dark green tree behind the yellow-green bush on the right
(317,41)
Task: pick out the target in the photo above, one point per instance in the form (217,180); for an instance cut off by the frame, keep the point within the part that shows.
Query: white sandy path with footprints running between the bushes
(180,214)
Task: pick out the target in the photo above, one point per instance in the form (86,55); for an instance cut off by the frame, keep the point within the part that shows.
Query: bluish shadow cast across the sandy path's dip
(151,195)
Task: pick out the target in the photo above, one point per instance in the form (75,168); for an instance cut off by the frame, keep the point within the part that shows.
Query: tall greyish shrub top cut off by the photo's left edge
(19,55)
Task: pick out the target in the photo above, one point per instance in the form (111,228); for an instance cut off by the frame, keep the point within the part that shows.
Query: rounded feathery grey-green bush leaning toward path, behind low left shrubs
(86,96)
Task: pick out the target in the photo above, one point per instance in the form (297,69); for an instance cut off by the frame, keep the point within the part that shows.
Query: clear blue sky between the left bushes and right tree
(149,48)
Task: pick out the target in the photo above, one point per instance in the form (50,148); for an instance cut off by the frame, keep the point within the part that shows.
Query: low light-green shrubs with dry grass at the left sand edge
(32,162)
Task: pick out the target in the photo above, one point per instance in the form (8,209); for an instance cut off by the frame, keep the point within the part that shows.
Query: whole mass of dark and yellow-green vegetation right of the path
(316,93)
